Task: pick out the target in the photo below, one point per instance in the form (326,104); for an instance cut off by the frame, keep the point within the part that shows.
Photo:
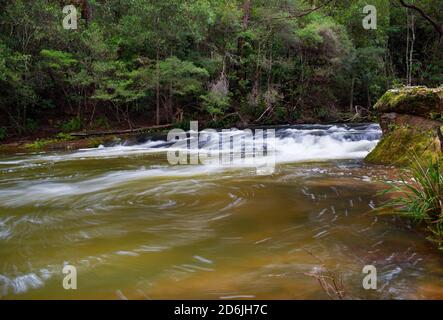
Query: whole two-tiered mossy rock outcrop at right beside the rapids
(411,119)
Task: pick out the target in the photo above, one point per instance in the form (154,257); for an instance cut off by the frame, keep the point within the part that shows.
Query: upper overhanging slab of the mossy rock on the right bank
(419,101)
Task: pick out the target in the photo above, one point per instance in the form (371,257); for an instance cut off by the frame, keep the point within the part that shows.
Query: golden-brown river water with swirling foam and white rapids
(136,227)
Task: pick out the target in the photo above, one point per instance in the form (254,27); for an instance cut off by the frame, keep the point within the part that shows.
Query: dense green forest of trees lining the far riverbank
(222,62)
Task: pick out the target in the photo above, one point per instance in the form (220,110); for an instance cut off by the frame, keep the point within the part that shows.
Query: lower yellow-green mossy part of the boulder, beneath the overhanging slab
(399,145)
